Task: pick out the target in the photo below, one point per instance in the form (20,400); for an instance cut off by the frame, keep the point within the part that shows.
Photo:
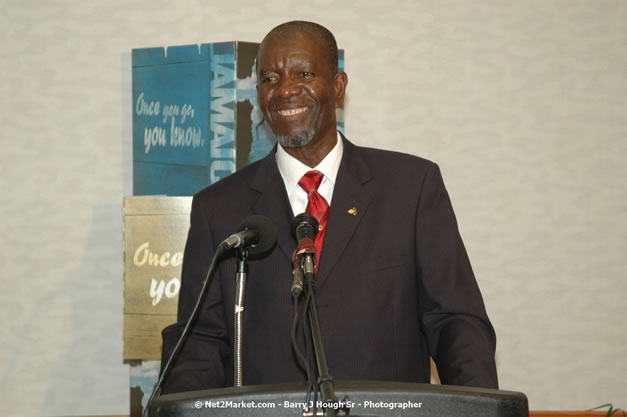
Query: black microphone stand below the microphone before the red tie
(325,381)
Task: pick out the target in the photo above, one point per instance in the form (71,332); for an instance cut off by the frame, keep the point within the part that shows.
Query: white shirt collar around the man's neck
(292,169)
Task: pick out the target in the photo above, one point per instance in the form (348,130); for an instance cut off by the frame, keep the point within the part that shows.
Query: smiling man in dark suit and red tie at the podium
(394,283)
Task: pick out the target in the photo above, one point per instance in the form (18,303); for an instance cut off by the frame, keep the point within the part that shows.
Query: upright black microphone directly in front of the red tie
(304,227)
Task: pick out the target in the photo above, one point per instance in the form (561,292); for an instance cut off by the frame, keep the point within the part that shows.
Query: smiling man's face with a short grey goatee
(298,92)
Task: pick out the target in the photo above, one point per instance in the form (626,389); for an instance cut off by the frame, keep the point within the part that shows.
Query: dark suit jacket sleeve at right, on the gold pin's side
(460,337)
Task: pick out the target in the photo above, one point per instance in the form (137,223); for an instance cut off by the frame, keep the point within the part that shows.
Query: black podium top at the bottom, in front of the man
(365,399)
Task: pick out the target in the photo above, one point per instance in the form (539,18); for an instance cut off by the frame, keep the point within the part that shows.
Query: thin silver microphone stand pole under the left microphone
(240,278)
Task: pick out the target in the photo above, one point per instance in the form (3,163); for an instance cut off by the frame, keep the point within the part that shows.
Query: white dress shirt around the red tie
(292,170)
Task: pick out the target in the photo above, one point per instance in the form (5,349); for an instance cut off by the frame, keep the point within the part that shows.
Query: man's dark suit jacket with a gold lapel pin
(394,284)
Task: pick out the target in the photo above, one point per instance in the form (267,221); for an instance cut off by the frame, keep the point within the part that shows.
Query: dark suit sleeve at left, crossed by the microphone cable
(200,363)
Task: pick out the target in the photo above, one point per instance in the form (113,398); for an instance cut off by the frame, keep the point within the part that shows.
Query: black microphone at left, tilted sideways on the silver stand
(255,232)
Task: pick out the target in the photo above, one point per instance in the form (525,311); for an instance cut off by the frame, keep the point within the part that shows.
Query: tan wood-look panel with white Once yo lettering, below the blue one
(155,230)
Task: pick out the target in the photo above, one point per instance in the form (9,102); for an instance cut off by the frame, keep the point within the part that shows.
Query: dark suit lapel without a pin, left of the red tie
(274,203)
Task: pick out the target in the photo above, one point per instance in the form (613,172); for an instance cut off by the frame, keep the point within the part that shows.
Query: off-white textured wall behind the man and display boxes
(522,103)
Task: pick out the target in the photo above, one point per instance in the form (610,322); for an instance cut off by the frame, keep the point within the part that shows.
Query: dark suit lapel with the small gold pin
(351,197)
